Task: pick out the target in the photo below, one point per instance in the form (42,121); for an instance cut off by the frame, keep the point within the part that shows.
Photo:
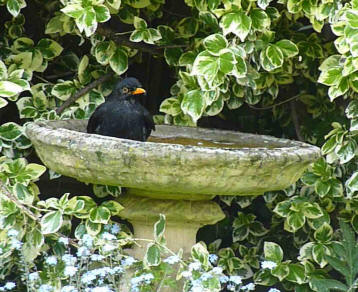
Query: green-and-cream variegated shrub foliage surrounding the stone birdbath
(286,68)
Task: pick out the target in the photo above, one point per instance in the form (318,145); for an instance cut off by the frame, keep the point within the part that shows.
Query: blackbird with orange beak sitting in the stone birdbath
(122,115)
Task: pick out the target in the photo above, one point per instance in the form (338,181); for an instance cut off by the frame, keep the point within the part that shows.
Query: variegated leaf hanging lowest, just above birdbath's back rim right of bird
(193,104)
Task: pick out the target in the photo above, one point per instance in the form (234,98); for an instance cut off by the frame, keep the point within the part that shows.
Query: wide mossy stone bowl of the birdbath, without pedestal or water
(172,171)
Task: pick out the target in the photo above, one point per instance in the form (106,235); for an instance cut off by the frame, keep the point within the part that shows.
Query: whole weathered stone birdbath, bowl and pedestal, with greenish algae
(176,173)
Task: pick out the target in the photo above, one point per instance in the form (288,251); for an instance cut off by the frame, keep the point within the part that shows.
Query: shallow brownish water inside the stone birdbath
(207,143)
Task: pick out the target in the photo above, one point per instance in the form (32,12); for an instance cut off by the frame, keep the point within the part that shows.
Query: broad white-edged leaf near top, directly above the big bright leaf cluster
(237,23)
